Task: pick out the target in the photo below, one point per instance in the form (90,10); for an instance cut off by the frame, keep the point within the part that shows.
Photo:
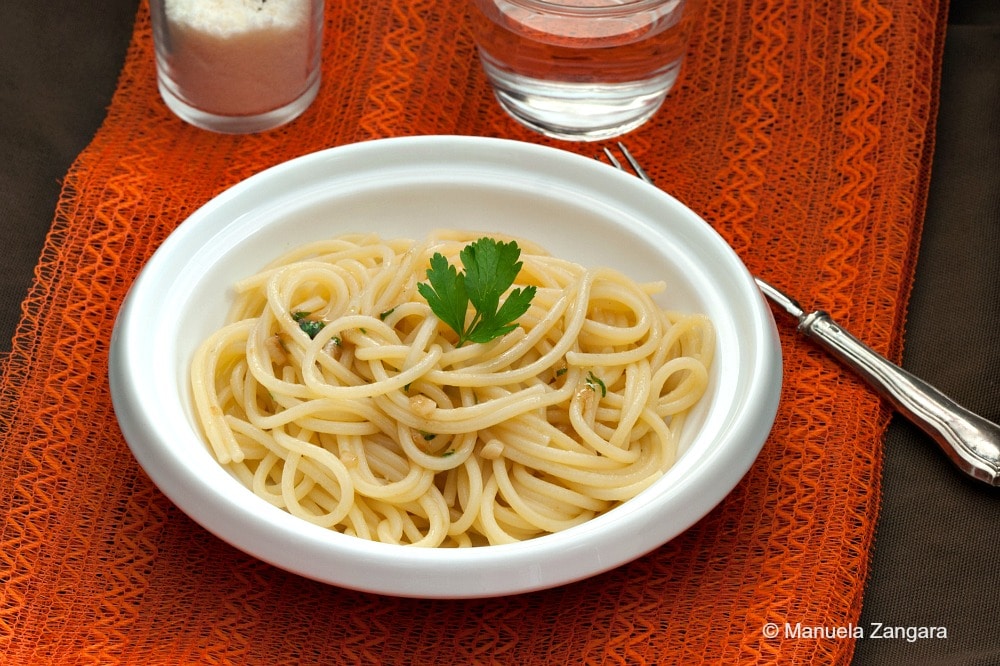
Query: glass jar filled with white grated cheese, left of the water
(237,66)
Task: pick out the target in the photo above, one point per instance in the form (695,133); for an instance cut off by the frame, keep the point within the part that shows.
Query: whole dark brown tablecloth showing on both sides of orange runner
(936,560)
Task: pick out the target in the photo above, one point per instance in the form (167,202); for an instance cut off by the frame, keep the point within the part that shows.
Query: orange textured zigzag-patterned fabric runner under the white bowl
(801,130)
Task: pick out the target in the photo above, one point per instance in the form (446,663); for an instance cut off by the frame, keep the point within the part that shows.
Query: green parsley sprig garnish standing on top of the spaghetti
(490,269)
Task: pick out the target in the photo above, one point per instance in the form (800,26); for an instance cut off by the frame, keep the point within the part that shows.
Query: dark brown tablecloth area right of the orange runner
(937,548)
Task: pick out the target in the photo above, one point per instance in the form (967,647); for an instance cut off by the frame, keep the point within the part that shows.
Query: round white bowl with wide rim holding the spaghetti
(575,207)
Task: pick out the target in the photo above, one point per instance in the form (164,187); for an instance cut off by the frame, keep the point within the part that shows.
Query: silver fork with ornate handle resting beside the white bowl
(969,441)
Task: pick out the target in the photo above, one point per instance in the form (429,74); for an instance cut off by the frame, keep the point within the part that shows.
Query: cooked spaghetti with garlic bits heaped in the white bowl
(336,394)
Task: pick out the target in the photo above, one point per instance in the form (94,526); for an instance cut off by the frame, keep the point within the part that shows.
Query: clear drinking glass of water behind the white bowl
(582,70)
